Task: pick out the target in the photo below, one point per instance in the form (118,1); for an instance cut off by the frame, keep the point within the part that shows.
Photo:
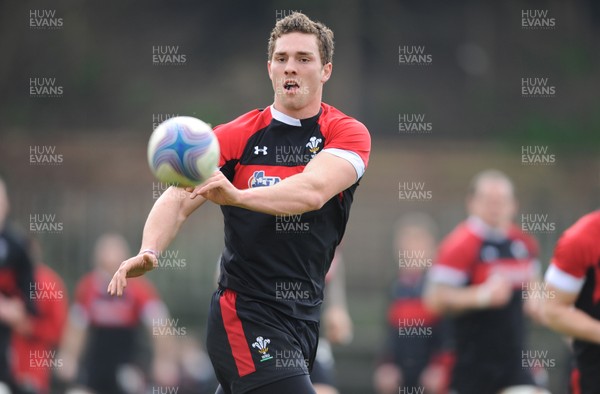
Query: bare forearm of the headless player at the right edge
(572,322)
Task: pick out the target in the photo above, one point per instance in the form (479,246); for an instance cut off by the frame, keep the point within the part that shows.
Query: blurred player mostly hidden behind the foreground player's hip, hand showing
(337,327)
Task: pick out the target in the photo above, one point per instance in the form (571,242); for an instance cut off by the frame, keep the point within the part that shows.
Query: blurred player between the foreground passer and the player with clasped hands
(417,359)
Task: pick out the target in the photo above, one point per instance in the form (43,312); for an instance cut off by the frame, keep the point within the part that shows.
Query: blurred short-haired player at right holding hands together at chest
(478,276)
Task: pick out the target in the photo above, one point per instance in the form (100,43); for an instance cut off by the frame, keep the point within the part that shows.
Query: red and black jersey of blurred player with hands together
(469,255)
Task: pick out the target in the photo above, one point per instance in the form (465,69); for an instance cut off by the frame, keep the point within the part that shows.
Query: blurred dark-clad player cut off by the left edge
(16,275)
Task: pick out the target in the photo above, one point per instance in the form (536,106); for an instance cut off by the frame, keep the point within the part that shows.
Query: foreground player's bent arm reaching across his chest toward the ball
(323,177)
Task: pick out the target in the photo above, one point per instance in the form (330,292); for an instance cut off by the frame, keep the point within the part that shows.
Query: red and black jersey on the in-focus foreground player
(282,260)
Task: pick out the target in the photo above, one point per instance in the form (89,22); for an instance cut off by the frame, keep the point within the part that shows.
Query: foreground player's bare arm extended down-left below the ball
(166,217)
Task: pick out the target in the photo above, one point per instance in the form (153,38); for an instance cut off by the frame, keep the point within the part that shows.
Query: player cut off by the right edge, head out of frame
(573,279)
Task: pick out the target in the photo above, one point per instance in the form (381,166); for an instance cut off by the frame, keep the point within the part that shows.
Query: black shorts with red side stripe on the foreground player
(251,344)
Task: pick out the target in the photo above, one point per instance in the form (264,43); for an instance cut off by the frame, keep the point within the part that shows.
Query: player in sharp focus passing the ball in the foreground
(286,182)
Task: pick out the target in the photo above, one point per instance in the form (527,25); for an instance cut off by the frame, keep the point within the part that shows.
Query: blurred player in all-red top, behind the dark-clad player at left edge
(34,346)
